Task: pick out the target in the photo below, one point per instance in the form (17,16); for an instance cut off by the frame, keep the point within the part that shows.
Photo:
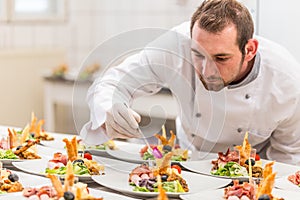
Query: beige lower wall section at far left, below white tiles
(21,83)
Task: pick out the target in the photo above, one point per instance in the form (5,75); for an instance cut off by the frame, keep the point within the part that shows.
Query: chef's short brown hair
(214,15)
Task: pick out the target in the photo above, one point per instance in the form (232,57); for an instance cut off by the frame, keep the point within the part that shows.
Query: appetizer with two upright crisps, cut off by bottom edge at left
(68,191)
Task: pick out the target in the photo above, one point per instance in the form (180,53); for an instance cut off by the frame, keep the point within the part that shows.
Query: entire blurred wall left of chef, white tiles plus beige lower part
(36,47)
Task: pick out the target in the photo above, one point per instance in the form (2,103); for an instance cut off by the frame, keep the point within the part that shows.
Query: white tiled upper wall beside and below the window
(91,22)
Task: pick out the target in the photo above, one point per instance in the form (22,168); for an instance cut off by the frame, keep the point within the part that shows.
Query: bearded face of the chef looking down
(216,57)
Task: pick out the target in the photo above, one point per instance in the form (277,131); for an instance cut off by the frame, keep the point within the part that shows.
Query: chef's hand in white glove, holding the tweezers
(122,122)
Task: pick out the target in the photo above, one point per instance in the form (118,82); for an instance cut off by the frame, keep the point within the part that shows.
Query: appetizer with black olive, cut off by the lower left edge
(9,182)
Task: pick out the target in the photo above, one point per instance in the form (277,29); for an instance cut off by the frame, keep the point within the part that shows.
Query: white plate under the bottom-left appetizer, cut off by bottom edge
(94,192)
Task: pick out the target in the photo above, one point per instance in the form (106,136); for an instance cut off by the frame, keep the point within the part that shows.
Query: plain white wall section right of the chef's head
(279,21)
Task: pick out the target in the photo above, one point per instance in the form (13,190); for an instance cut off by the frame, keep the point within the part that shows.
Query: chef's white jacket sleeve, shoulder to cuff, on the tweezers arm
(158,65)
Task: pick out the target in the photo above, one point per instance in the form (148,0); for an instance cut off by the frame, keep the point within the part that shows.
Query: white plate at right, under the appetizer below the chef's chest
(204,167)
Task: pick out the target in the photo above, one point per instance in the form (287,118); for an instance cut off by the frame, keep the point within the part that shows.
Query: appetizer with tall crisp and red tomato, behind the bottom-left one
(82,164)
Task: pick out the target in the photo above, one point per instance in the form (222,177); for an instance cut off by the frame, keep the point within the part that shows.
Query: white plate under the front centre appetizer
(196,182)
